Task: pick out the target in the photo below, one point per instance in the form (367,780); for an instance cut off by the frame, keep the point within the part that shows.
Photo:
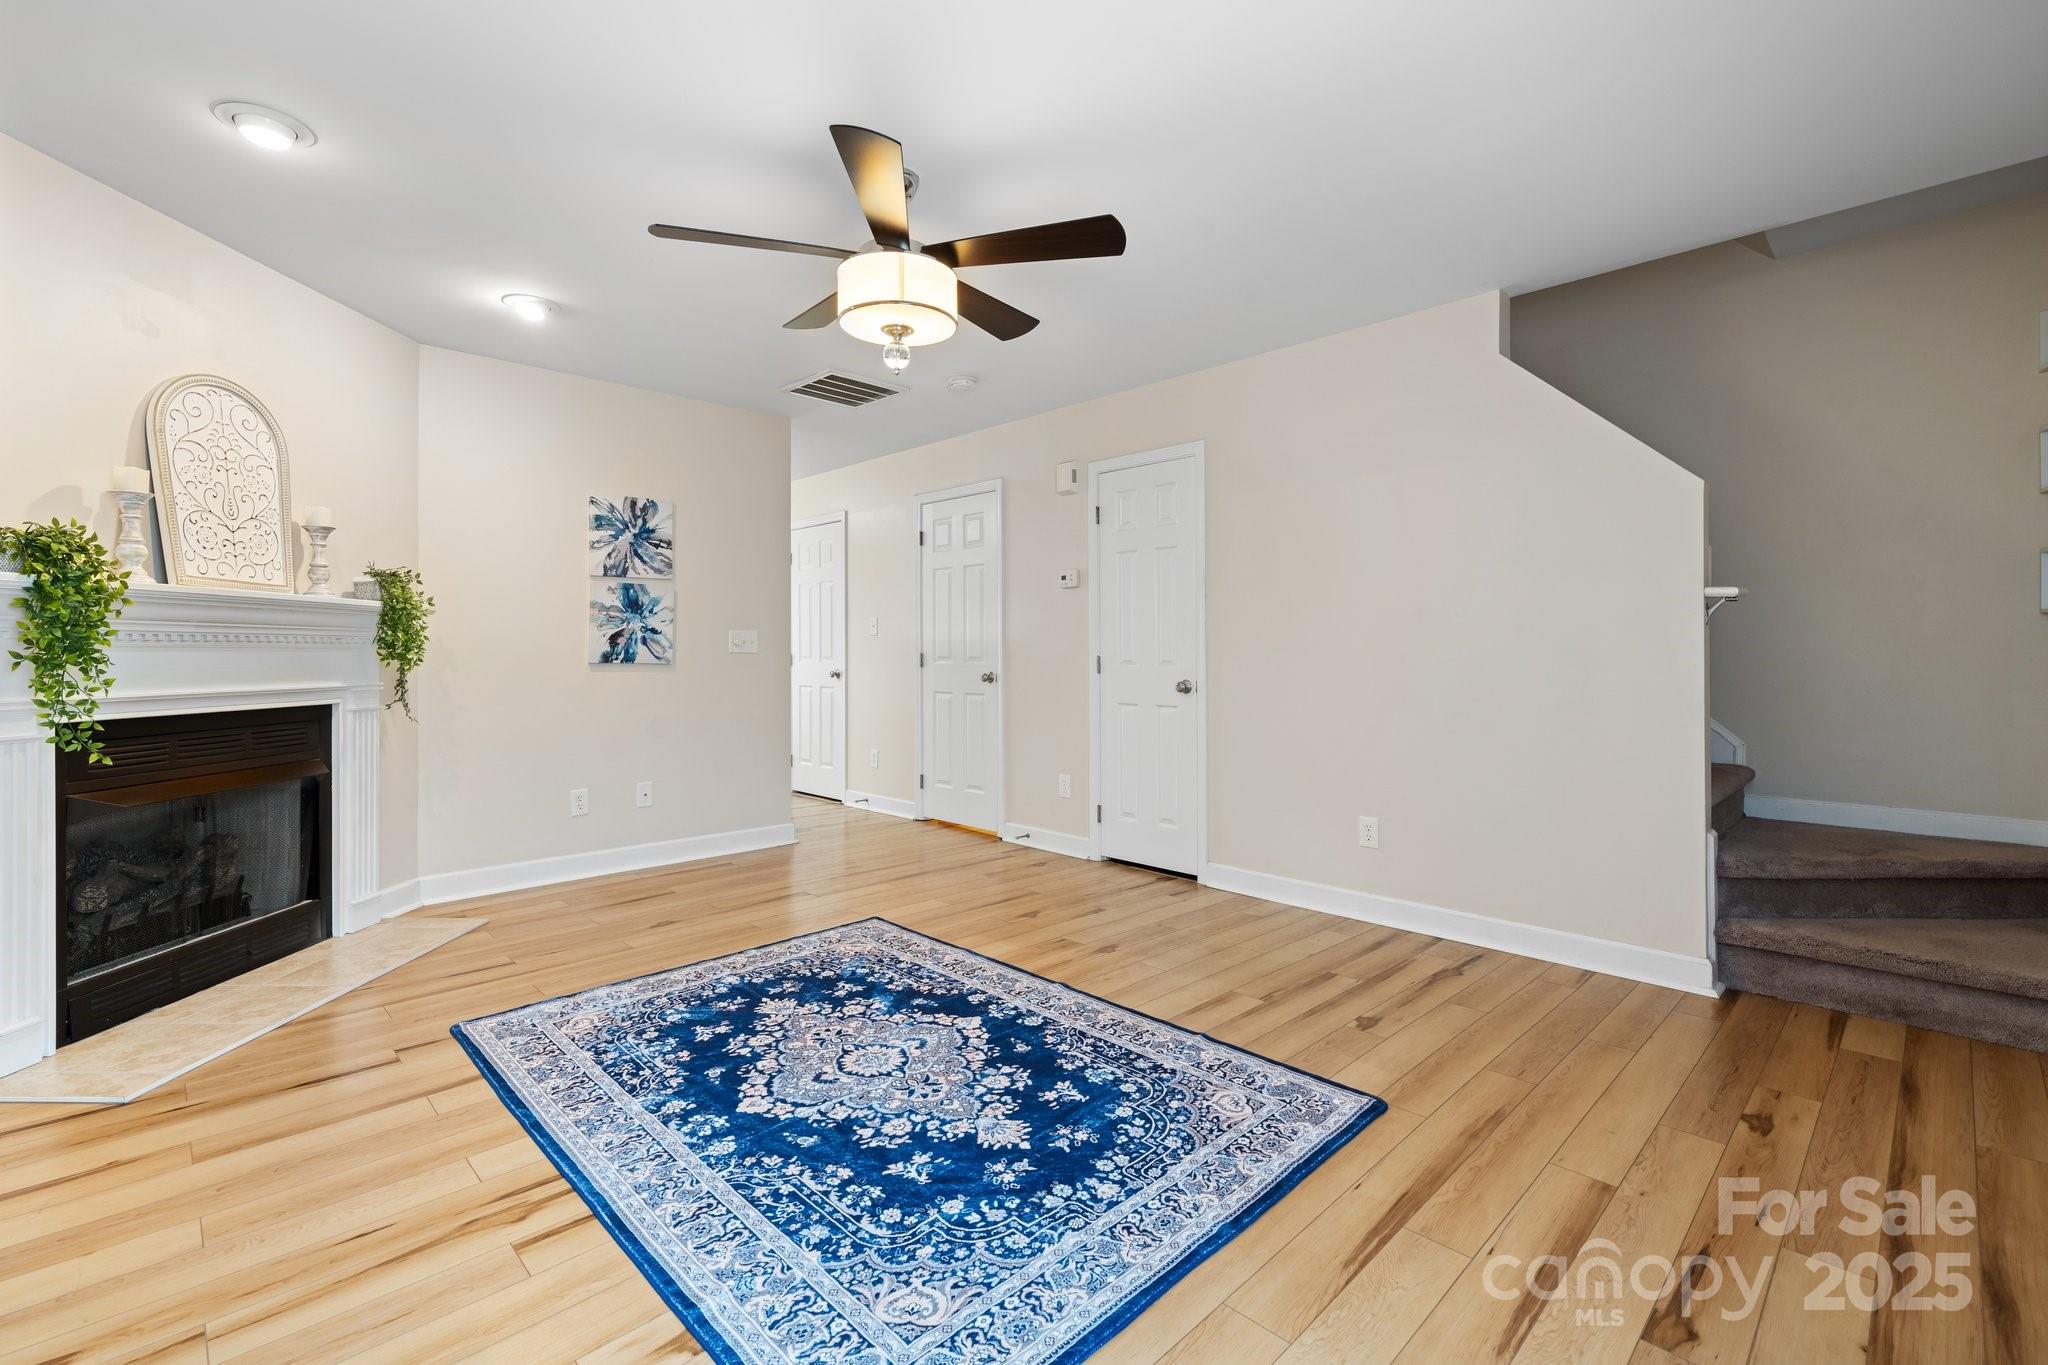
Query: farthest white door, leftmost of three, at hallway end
(818,658)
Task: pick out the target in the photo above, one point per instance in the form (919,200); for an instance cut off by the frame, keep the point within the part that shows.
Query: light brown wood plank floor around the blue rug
(347,1188)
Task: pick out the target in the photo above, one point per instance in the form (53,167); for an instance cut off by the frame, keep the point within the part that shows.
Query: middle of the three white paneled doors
(962,646)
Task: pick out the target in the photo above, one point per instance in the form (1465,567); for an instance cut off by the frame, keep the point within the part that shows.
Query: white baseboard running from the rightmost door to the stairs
(1652,965)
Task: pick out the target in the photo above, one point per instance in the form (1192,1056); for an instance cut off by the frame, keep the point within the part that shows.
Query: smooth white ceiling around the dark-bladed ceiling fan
(1285,171)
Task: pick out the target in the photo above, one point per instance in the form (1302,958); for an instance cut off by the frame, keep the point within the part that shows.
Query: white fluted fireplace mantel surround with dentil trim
(183,650)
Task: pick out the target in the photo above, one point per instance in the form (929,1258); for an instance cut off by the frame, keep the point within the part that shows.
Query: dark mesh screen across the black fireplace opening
(142,879)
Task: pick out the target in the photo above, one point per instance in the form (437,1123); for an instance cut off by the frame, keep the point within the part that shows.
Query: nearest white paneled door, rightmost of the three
(1148,728)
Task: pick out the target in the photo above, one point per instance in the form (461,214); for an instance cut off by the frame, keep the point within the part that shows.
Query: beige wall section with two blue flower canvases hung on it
(511,715)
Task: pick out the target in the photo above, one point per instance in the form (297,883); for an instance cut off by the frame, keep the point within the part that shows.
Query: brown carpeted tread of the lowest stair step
(1990,955)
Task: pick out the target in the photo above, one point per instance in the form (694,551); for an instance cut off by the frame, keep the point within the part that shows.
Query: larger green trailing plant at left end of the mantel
(69,607)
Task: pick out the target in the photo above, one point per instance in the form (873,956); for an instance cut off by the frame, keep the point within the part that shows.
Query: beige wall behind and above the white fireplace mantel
(101,300)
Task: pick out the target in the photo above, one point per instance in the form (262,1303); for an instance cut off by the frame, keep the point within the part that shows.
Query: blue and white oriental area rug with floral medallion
(867,1147)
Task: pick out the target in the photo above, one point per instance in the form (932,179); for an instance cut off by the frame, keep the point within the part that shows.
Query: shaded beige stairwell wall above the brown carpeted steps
(1867,419)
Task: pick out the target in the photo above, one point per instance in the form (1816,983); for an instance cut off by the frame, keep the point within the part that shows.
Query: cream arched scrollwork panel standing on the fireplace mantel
(222,486)
